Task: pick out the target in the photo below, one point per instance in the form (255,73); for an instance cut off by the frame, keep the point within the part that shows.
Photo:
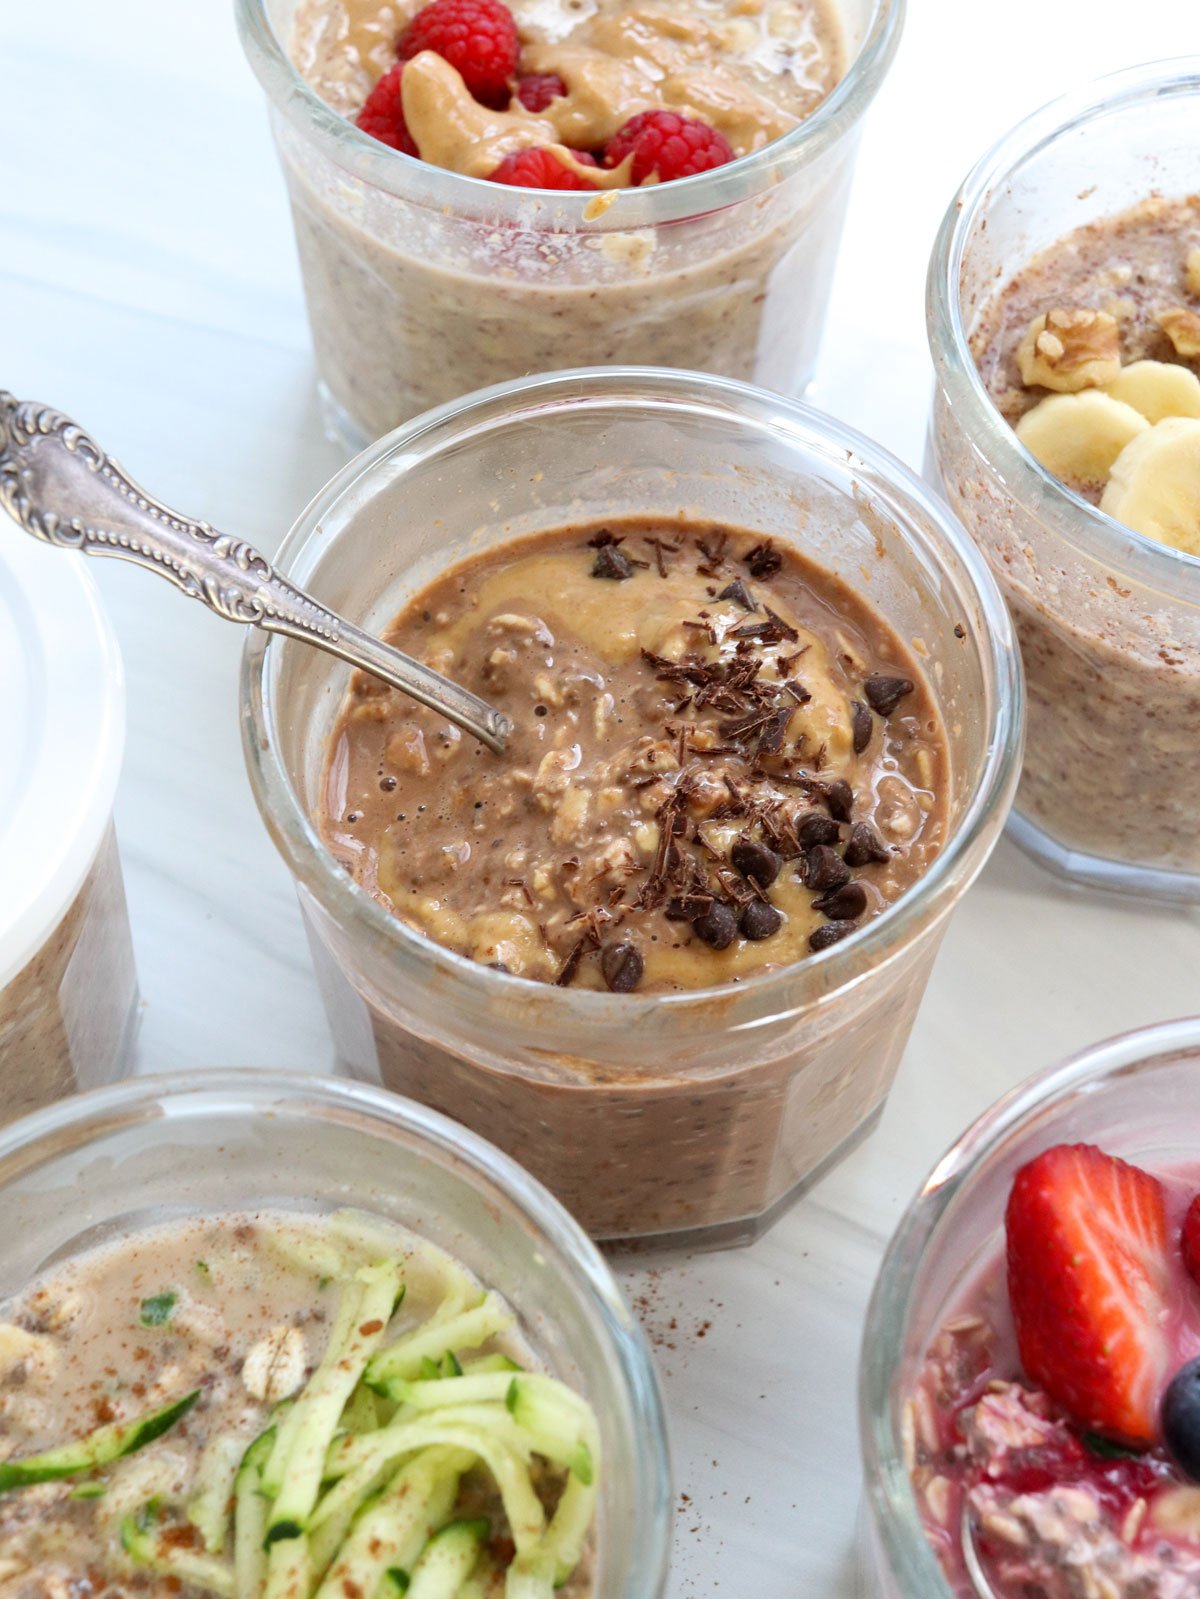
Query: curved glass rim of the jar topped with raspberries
(409,178)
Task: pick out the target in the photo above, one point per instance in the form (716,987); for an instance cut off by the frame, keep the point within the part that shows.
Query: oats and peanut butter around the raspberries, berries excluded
(751,70)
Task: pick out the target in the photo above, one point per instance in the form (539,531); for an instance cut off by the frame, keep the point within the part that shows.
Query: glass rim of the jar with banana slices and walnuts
(1041,495)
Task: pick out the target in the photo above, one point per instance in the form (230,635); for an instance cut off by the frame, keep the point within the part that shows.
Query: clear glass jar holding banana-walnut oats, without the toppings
(1108,621)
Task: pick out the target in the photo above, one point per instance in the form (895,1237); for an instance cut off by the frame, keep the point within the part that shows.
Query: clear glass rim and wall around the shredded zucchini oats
(166,1147)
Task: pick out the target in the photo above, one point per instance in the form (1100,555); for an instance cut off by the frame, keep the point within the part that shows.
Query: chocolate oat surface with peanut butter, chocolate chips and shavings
(724,762)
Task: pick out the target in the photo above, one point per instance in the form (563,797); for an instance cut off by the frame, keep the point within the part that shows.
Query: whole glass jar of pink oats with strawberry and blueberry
(1031,1368)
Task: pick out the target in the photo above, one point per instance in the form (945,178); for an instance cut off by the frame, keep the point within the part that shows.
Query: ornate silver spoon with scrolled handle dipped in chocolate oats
(60,485)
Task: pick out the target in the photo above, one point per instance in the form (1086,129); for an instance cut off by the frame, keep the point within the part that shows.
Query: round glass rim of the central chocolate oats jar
(834,971)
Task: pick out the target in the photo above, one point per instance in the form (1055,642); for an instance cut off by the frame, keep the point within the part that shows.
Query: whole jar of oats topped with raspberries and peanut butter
(482,193)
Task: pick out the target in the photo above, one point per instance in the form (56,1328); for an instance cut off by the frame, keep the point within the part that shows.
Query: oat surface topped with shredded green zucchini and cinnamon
(274,1406)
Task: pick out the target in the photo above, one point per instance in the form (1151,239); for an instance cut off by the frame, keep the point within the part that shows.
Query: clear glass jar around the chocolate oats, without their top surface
(697,1114)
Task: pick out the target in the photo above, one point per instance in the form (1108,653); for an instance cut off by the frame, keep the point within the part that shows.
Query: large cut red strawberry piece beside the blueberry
(1087,1282)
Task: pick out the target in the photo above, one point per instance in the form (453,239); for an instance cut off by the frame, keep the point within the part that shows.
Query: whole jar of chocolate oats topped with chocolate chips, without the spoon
(668,949)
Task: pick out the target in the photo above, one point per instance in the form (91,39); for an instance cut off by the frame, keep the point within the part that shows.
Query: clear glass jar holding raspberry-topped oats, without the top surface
(425,285)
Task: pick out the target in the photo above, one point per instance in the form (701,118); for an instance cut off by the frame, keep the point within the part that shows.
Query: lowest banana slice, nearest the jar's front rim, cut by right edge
(1156,484)
